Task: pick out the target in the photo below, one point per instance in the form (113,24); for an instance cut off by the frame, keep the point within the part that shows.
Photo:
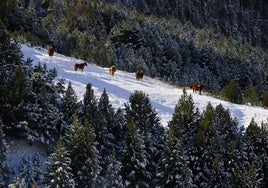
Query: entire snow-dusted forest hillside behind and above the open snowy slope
(181,43)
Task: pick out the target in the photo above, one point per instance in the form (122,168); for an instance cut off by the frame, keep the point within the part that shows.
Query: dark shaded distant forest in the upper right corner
(244,20)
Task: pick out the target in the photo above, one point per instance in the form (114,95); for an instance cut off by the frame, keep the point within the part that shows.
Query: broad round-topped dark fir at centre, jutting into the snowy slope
(146,120)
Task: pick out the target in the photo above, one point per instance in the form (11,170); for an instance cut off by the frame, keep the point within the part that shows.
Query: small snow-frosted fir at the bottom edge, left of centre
(60,171)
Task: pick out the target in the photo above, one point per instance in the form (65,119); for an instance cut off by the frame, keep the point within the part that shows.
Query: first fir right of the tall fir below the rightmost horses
(210,152)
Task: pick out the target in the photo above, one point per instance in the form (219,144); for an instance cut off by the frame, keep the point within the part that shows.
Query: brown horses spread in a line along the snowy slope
(112,69)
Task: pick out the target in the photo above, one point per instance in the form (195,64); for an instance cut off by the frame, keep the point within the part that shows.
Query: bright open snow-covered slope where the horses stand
(163,97)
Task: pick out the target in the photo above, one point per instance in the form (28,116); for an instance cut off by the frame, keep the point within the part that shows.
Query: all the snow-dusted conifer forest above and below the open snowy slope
(90,144)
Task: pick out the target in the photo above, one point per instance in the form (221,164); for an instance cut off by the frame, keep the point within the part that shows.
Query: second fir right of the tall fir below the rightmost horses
(231,147)
